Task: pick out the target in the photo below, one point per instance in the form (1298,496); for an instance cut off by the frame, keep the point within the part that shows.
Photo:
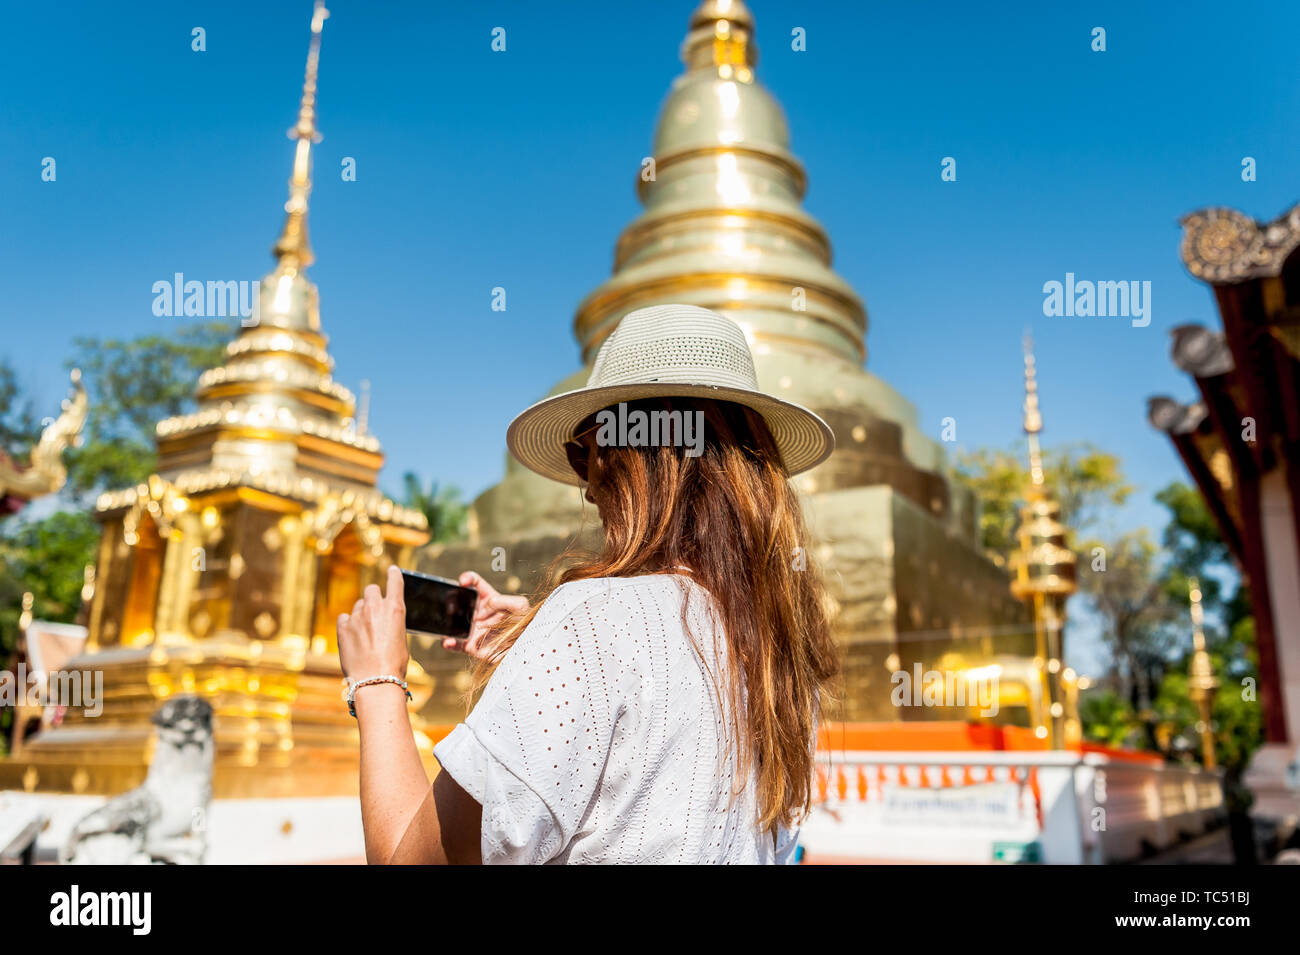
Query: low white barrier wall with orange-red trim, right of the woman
(983,808)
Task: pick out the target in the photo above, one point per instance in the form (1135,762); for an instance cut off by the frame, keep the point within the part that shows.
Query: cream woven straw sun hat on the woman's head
(666,351)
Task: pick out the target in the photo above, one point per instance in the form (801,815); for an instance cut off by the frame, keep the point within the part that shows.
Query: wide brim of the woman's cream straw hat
(538,435)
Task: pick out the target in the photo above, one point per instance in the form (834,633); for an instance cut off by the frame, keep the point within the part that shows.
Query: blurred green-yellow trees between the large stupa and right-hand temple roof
(1139,591)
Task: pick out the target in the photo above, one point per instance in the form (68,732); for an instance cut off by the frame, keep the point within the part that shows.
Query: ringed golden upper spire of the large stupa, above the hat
(723,224)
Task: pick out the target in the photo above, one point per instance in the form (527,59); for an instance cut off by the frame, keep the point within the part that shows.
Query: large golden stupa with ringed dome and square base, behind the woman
(723,228)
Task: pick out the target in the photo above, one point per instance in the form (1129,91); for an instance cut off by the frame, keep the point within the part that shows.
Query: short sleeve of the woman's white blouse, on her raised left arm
(534,749)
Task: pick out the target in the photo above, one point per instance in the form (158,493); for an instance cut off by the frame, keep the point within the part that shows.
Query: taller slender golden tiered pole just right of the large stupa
(1046,575)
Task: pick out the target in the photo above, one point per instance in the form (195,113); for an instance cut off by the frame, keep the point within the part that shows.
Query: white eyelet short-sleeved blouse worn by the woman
(600,737)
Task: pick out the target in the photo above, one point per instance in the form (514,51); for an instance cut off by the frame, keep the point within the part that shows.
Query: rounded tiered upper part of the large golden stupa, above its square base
(723,228)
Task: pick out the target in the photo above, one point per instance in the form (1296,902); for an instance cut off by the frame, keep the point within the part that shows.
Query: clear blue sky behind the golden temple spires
(480,170)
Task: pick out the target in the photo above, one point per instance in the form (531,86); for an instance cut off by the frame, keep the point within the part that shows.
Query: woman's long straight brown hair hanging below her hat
(733,518)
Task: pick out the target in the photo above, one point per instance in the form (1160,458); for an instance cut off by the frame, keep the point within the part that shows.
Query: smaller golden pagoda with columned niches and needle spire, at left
(226,572)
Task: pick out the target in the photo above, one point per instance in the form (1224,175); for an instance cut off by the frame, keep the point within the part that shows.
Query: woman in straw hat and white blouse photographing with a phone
(660,701)
